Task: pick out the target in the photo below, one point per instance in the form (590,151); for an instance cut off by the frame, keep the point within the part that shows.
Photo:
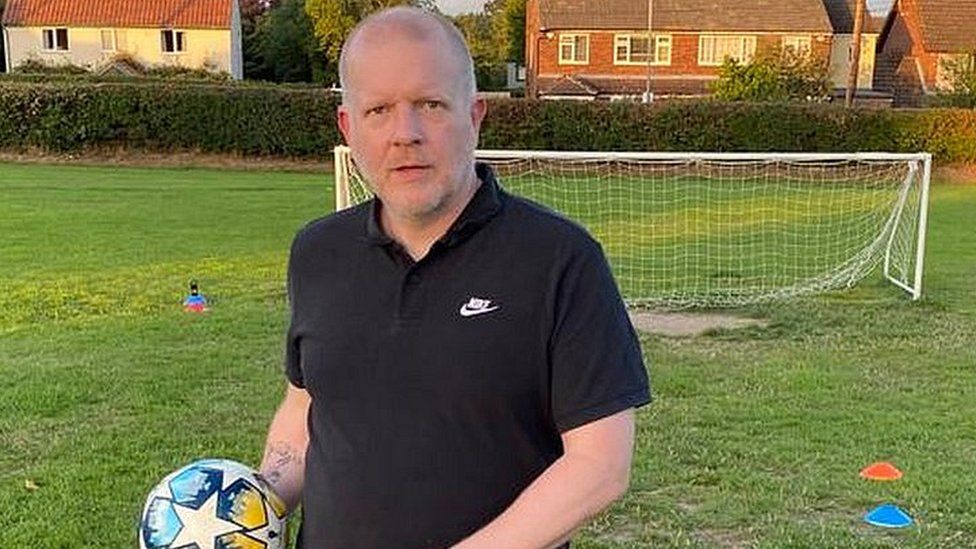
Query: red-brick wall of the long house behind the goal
(684,55)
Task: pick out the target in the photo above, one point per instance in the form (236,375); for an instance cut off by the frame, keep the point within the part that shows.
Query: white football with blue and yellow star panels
(213,504)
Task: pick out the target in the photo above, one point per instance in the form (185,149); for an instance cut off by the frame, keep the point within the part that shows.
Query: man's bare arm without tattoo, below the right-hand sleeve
(593,472)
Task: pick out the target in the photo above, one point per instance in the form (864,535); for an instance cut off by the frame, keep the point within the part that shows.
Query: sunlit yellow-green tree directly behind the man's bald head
(333,19)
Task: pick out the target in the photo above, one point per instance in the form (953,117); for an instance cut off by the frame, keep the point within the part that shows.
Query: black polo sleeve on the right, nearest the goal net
(597,367)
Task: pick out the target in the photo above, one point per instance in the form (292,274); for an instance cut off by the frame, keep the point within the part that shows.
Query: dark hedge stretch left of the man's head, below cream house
(212,118)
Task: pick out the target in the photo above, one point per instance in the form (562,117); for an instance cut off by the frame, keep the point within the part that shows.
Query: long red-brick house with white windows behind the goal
(592,49)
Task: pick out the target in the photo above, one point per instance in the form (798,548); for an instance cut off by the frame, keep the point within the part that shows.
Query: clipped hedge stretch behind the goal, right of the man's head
(722,126)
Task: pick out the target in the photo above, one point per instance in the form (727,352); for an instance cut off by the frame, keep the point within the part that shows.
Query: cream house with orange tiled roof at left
(92,33)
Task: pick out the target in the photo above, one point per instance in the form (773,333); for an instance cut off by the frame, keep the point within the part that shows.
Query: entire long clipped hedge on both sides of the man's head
(266,120)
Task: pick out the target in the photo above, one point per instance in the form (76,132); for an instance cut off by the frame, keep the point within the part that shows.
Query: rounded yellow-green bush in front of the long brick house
(775,75)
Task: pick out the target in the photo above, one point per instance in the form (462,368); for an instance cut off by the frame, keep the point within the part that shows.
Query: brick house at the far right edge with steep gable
(918,38)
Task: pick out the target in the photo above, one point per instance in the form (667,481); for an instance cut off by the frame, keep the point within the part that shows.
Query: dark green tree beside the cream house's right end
(284,48)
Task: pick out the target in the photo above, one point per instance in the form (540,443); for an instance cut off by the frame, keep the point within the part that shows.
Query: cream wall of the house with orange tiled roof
(204,47)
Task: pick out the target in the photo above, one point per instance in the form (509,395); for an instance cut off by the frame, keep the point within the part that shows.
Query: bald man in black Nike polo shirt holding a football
(461,369)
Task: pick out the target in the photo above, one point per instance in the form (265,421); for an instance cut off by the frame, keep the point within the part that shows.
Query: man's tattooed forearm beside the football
(284,452)
